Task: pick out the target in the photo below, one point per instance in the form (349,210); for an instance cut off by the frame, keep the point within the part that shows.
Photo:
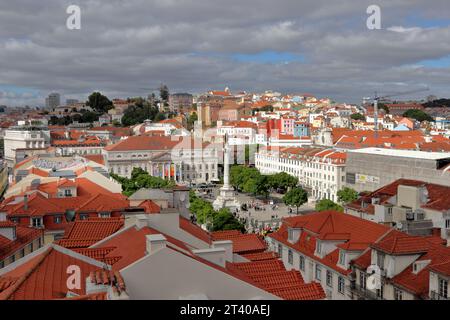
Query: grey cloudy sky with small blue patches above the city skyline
(128,47)
